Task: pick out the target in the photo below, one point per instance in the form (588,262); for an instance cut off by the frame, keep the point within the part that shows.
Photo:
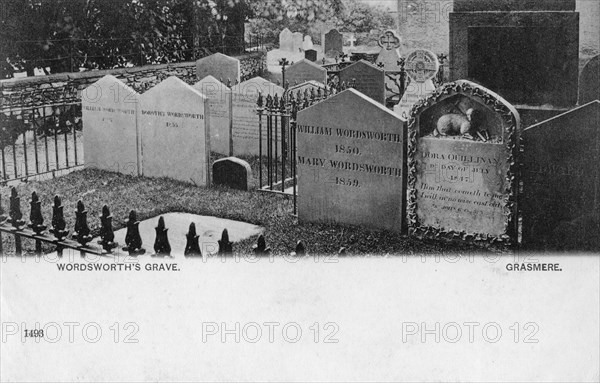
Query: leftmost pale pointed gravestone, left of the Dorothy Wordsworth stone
(111,136)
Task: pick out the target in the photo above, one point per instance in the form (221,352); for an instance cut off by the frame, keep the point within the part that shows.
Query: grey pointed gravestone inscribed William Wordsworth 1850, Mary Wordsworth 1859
(351,170)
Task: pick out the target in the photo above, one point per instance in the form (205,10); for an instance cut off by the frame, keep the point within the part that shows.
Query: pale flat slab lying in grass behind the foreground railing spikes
(207,227)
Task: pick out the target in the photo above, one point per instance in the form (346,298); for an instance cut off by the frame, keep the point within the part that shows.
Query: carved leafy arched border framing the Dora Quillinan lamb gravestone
(511,144)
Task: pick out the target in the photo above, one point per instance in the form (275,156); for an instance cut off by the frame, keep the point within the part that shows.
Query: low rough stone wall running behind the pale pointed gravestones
(66,87)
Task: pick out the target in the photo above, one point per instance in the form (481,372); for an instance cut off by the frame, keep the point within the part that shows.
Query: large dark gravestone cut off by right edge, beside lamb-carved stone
(561,181)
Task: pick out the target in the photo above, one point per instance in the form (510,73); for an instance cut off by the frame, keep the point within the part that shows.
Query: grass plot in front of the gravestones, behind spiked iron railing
(152,197)
